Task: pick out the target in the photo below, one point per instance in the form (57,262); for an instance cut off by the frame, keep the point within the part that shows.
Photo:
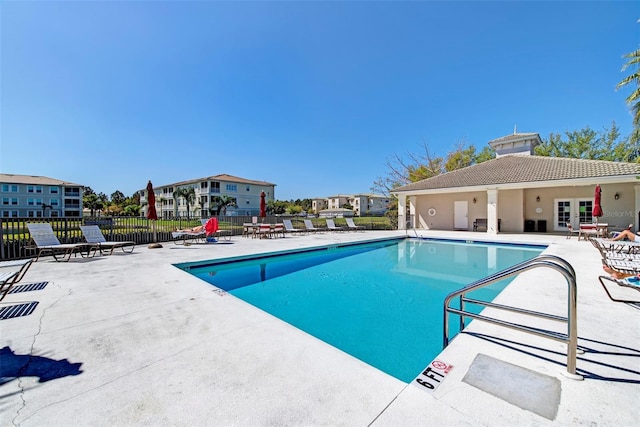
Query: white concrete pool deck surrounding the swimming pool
(129,339)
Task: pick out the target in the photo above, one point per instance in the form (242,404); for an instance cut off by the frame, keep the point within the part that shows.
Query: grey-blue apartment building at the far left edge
(39,197)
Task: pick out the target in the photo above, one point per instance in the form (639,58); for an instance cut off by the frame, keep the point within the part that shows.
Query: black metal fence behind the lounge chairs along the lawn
(16,240)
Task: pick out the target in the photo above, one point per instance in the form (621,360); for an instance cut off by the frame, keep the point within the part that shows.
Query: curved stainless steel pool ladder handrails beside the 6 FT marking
(549,261)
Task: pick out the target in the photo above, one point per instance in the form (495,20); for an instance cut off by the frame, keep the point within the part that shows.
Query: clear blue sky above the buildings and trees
(314,97)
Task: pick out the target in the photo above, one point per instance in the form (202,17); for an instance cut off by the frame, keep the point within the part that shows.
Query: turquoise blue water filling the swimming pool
(380,302)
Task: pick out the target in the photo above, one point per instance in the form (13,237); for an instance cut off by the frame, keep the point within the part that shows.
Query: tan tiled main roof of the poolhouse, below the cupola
(521,169)
